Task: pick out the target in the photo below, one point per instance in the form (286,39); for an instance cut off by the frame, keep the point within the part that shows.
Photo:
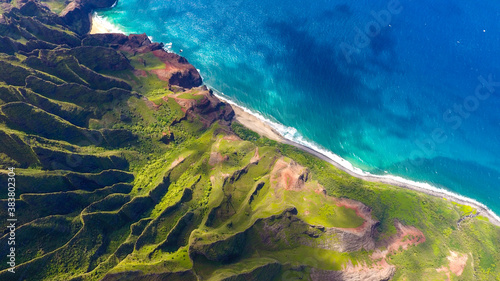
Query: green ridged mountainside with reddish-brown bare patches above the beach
(126,169)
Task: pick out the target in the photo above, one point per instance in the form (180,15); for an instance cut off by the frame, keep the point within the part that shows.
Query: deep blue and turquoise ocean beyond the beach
(407,88)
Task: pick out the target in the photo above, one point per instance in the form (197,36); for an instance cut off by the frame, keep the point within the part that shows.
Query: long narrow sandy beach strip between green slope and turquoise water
(255,124)
